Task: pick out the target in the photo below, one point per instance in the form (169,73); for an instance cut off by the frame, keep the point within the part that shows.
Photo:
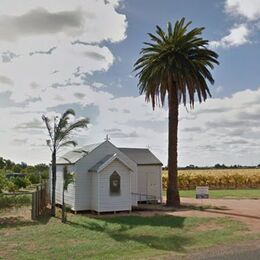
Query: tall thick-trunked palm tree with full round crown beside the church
(176,62)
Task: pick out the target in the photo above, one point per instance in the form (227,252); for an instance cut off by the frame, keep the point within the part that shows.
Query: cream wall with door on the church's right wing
(149,181)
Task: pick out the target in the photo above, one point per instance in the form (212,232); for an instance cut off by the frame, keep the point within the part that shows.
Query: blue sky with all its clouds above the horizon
(60,54)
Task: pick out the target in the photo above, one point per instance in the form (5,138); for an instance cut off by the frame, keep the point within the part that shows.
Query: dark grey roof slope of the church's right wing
(141,156)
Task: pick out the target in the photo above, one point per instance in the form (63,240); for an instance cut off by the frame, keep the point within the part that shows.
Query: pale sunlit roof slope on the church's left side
(75,155)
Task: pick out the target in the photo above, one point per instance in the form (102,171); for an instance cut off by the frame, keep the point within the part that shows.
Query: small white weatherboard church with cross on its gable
(109,179)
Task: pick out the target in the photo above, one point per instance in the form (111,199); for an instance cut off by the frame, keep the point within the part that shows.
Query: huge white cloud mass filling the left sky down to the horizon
(47,51)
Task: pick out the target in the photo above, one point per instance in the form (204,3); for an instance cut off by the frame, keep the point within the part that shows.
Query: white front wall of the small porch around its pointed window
(120,202)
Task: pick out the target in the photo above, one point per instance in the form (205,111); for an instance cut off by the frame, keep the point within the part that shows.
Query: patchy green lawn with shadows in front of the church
(121,237)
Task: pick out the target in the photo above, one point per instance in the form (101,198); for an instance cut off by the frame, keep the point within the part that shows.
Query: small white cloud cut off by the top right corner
(249,9)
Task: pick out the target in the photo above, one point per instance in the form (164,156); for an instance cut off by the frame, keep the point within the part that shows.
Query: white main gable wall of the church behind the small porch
(83,178)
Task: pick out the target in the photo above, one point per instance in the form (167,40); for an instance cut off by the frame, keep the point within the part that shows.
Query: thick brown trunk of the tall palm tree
(173,197)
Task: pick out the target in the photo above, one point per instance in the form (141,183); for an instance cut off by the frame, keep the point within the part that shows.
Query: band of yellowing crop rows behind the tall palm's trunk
(217,178)
